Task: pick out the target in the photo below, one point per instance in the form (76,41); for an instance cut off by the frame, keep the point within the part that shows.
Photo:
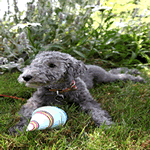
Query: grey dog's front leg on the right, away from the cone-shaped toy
(89,105)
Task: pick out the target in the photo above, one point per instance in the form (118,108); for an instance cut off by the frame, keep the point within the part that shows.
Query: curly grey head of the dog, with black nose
(51,67)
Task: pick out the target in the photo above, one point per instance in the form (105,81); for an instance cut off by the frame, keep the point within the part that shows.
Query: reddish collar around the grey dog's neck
(72,88)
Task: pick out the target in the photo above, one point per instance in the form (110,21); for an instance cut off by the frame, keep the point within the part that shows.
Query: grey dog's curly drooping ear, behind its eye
(75,67)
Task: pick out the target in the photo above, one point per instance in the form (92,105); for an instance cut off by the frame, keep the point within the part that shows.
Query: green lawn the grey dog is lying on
(128,104)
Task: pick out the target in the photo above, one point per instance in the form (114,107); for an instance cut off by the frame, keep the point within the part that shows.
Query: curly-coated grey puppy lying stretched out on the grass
(60,78)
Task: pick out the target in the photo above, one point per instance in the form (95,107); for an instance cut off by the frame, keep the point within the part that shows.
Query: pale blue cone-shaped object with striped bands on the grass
(47,117)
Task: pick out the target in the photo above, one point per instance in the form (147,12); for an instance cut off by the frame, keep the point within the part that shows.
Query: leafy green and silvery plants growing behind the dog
(68,27)
